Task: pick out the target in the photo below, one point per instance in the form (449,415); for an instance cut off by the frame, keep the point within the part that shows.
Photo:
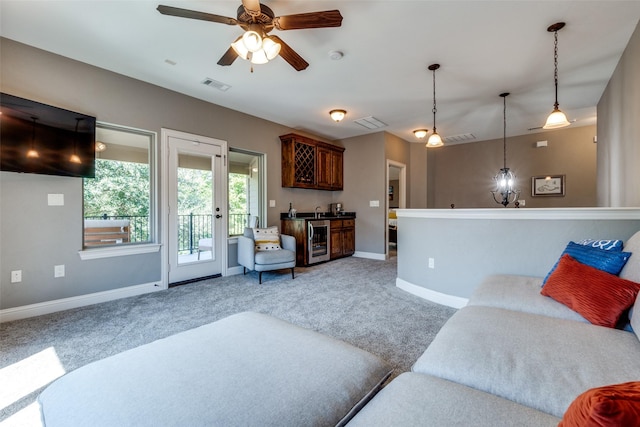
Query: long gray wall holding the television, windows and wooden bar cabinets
(36,237)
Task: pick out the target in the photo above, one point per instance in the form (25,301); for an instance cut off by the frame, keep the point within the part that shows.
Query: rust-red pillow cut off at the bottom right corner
(612,405)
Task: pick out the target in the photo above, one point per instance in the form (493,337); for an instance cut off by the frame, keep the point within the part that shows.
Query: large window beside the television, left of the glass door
(119,201)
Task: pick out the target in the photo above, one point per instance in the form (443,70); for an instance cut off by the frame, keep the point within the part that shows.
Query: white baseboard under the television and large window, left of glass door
(47,307)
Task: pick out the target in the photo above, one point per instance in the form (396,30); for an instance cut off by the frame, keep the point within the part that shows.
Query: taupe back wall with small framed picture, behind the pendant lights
(463,174)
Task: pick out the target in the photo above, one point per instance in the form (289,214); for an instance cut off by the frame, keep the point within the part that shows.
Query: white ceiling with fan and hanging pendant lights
(484,48)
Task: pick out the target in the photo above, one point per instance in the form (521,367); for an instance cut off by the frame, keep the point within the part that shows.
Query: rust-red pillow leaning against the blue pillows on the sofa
(597,296)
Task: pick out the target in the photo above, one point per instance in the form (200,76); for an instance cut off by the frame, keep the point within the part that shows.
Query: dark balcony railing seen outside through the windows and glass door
(191,228)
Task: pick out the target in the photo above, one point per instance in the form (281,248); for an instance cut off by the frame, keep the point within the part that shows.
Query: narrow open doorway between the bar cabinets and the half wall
(397,188)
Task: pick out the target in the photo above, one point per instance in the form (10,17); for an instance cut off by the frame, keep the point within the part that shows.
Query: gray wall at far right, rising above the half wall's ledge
(619,132)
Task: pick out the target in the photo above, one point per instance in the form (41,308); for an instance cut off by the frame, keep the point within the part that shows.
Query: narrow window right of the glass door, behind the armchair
(246,198)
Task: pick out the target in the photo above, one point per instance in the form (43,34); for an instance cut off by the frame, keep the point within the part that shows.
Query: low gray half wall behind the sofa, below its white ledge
(465,251)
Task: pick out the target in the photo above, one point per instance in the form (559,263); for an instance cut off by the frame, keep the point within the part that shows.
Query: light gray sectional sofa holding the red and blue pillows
(511,357)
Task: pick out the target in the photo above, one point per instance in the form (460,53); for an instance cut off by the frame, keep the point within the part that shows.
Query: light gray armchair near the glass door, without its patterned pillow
(261,261)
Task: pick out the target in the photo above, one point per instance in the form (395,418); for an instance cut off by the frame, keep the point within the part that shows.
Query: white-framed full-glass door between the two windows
(195,203)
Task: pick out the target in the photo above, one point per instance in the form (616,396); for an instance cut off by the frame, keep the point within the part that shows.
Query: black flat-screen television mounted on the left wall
(42,139)
